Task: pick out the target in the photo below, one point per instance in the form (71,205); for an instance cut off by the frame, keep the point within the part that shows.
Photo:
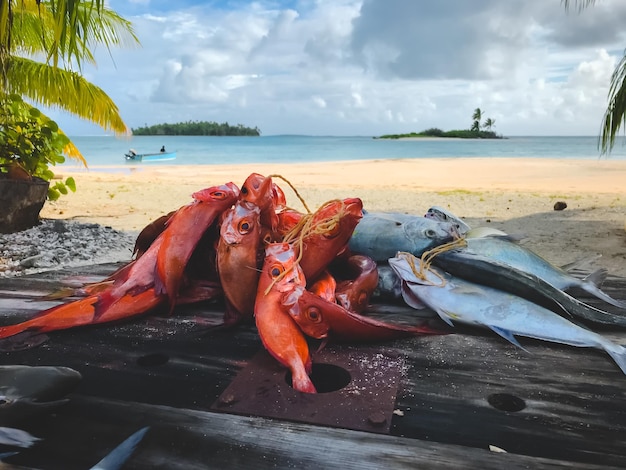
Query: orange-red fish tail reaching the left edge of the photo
(79,312)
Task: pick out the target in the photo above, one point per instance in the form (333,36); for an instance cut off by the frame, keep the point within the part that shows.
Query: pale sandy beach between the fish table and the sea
(514,195)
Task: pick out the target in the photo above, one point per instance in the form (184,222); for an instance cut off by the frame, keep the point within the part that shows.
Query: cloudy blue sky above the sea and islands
(363,67)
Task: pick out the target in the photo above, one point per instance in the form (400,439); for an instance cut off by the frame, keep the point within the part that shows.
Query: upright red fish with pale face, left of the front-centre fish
(238,248)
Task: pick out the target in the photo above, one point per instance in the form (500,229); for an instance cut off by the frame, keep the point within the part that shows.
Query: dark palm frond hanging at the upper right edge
(616,108)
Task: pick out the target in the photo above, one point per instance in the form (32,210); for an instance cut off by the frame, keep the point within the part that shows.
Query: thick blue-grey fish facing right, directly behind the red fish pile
(381,235)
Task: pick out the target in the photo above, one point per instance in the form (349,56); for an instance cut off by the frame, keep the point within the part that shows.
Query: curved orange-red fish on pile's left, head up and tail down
(183,232)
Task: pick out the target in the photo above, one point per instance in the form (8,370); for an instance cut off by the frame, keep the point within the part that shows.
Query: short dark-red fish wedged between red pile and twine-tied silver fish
(354,293)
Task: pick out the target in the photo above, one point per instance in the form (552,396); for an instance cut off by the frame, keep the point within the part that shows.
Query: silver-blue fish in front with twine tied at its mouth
(504,313)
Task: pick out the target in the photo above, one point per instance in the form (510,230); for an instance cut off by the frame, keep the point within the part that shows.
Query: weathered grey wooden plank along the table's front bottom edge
(179,438)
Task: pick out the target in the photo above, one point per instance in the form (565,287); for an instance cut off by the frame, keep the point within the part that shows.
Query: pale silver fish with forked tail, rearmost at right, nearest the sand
(512,254)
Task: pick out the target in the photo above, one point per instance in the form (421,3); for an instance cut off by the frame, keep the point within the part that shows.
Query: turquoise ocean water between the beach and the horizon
(191,150)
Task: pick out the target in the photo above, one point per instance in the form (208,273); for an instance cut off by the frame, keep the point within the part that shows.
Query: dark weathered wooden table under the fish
(452,396)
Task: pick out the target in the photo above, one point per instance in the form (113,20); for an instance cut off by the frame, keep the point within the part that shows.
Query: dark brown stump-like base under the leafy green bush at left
(20,203)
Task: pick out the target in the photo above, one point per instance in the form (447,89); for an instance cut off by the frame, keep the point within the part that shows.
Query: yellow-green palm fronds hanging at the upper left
(64,32)
